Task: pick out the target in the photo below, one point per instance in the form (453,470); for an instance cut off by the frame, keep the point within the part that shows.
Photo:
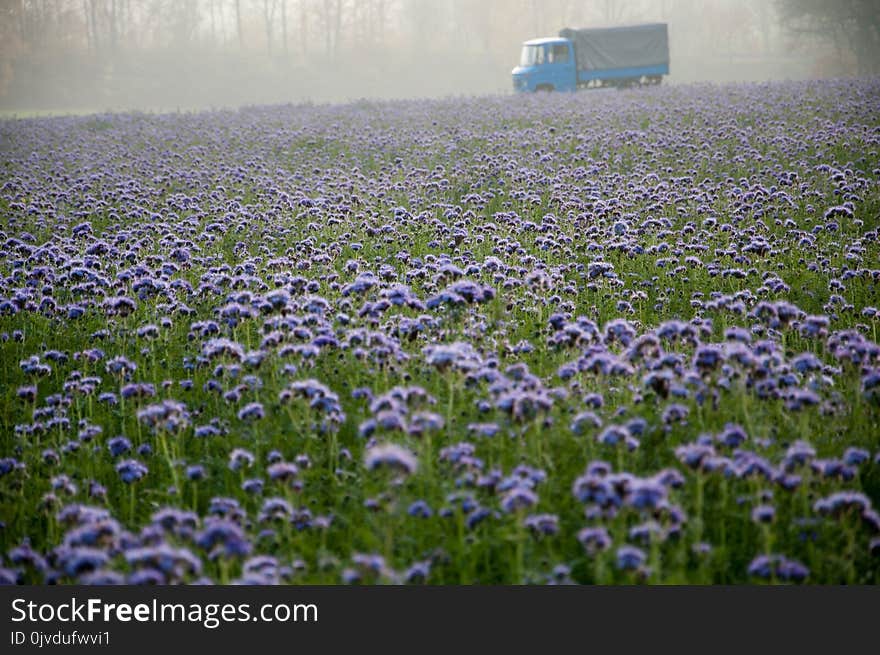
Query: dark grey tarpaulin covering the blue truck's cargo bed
(619,47)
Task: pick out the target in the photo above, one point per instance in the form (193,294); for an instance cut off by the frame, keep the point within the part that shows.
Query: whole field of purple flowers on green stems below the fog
(601,337)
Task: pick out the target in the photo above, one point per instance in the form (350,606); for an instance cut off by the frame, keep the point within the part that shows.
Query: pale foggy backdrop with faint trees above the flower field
(168,54)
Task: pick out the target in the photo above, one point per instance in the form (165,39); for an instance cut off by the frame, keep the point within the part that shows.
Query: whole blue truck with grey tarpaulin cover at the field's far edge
(594,57)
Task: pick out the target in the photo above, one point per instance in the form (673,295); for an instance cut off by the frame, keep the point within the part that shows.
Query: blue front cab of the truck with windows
(546,65)
